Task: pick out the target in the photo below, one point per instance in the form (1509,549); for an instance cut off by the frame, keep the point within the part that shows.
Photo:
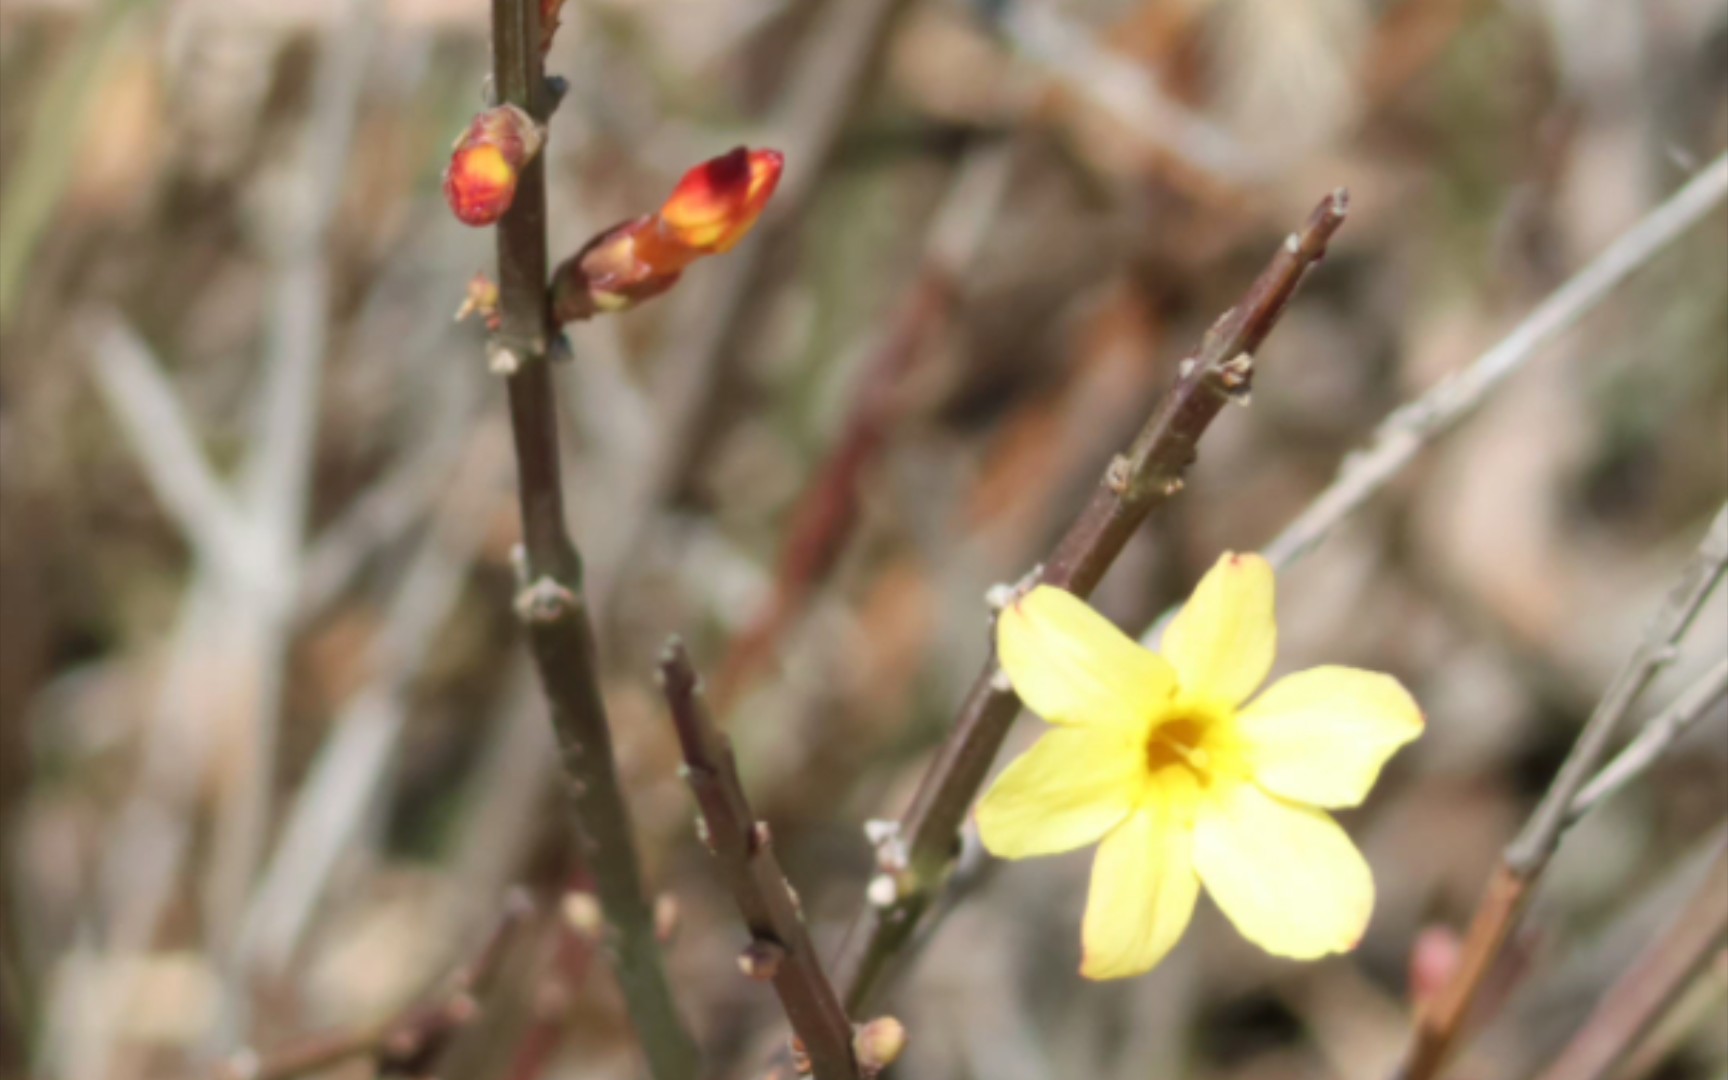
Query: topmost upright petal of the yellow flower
(1224,637)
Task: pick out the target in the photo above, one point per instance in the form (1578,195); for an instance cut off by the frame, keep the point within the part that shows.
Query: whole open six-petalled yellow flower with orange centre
(1183,782)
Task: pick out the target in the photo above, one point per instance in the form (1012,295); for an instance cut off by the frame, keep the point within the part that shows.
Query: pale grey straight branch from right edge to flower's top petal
(1411,428)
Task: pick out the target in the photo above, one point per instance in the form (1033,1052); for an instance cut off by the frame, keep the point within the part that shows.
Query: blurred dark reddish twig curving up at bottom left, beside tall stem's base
(410,1043)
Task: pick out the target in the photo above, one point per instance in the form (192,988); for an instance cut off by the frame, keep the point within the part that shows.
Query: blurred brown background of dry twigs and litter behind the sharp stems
(272,753)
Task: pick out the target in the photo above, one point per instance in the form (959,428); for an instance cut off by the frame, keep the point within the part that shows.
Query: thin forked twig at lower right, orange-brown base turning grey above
(1522,867)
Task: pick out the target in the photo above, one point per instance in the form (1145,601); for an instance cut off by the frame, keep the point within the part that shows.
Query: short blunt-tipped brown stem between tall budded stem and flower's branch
(780,944)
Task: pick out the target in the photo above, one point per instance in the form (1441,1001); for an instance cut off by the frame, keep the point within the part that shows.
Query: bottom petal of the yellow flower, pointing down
(1143,896)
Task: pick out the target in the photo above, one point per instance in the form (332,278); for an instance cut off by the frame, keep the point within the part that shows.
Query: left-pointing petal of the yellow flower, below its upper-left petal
(1070,789)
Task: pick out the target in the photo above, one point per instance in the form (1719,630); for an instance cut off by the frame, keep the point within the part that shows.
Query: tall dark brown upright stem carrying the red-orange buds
(550,604)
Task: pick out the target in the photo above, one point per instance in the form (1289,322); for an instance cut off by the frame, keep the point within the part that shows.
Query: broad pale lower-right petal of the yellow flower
(1286,875)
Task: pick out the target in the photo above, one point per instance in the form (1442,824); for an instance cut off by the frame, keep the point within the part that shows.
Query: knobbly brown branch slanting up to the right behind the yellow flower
(1147,476)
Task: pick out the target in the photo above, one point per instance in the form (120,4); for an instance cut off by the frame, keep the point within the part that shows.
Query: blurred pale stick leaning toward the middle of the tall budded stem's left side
(355,759)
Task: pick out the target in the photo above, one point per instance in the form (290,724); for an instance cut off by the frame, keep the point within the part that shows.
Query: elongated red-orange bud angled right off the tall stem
(711,210)
